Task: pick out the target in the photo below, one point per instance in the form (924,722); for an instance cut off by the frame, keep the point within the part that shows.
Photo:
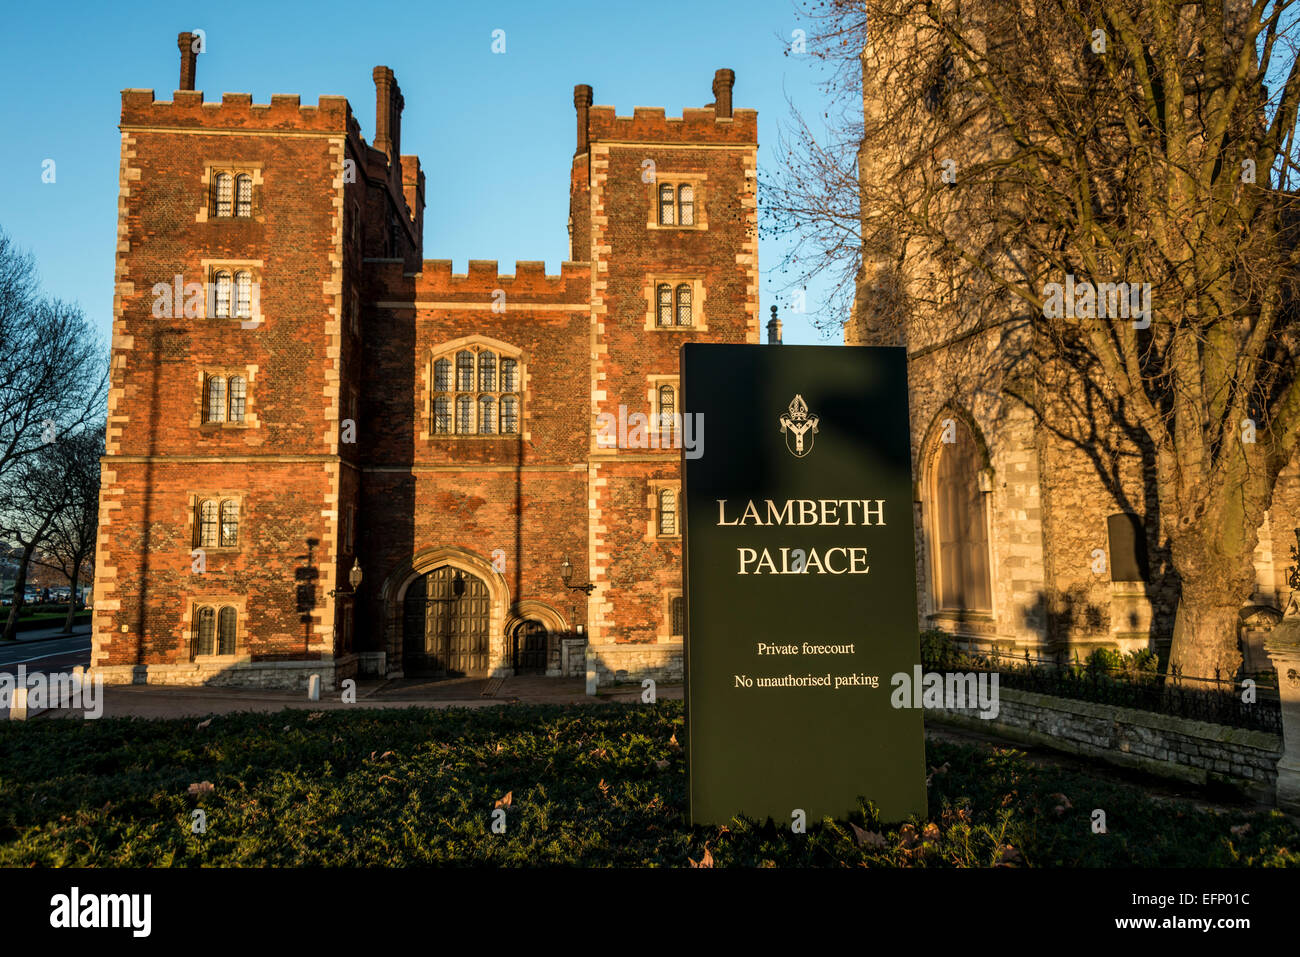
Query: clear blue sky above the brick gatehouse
(497,129)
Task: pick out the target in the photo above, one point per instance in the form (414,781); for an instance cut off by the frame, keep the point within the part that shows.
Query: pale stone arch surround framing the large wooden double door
(471,566)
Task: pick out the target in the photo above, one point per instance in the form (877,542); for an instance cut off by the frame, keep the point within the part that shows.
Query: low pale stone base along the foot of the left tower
(235,674)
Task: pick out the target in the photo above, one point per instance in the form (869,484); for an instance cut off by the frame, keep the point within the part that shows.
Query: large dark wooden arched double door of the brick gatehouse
(447,625)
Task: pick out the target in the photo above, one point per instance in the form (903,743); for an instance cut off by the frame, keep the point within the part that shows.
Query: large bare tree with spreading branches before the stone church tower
(1024,167)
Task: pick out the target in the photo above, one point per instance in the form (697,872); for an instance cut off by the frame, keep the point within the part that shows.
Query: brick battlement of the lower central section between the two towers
(528,284)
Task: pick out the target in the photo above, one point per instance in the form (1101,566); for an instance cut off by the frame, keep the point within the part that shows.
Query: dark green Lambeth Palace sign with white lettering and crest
(801,584)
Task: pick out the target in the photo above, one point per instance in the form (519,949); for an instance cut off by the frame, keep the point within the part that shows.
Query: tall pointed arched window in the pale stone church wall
(961,548)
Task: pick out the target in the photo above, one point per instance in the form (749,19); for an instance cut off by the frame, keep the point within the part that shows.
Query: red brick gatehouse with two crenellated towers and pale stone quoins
(297,392)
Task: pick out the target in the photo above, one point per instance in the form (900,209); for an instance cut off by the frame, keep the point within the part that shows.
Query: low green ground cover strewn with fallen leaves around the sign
(588,786)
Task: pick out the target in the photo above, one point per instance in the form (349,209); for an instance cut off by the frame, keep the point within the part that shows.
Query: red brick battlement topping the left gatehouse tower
(188,110)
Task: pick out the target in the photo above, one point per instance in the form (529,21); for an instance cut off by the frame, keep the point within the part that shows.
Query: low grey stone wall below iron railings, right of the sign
(1159,744)
